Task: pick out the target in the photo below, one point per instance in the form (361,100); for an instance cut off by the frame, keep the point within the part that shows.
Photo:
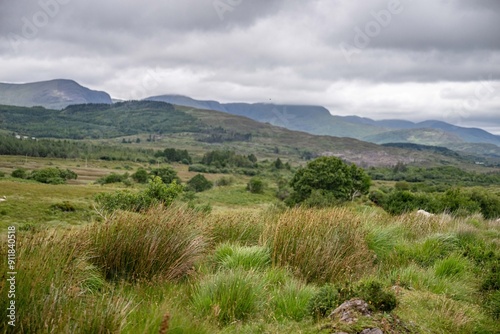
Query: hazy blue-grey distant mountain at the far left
(54,94)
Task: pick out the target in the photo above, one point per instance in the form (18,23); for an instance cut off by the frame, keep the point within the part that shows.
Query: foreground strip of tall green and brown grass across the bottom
(175,270)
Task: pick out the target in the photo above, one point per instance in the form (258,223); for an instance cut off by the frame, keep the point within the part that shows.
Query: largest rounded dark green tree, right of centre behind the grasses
(331,176)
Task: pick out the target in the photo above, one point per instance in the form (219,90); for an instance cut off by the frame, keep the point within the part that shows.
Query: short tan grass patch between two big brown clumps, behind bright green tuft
(244,227)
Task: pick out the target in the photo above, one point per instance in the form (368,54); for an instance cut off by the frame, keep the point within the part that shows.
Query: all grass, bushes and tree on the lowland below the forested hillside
(274,252)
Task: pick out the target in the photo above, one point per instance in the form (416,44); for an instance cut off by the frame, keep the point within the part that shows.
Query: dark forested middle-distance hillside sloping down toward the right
(198,129)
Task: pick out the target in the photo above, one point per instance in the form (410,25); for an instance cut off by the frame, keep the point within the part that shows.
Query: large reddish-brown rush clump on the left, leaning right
(159,243)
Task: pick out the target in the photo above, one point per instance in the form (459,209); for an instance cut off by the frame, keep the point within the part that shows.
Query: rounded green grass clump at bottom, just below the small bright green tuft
(229,296)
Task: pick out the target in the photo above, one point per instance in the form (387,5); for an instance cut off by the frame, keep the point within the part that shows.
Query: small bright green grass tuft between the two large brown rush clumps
(230,256)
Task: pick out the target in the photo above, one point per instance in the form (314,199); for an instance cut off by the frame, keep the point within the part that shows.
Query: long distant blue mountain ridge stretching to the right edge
(318,120)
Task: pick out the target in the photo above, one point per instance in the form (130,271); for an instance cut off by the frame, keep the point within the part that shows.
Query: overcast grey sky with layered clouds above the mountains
(406,59)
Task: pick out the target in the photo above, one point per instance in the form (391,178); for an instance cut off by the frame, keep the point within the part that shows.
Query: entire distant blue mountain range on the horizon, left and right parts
(317,120)
